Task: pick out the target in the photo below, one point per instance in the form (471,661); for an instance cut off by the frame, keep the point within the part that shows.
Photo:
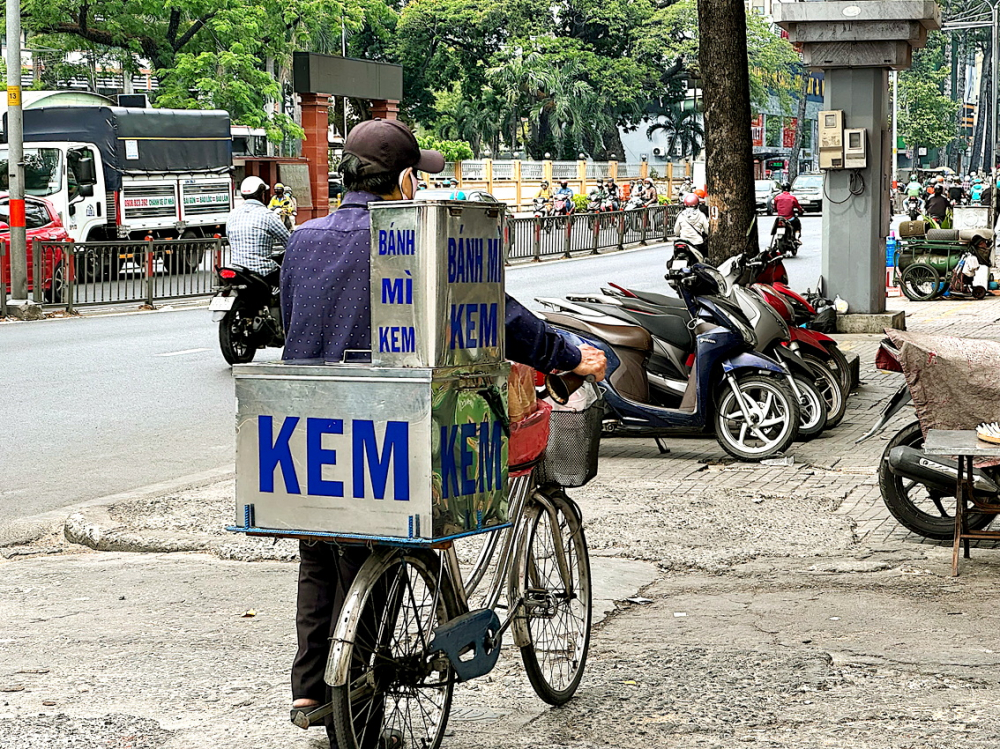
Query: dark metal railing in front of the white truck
(144,271)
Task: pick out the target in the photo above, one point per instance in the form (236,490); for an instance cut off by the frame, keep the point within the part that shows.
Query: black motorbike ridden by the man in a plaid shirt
(248,311)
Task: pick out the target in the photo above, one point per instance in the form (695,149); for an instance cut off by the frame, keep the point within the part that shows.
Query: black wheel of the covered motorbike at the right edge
(928,514)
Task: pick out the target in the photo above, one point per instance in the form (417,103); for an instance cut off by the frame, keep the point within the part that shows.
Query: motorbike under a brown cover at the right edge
(918,489)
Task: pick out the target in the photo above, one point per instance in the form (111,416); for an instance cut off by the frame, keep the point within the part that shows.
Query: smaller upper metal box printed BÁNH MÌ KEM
(437,283)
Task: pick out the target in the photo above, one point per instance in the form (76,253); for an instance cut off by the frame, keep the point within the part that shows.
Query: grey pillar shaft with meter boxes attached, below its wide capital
(855,226)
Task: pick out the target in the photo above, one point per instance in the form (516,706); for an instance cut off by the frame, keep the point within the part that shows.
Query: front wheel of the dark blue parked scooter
(774,409)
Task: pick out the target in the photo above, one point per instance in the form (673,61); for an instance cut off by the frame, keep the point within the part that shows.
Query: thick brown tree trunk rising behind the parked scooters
(725,78)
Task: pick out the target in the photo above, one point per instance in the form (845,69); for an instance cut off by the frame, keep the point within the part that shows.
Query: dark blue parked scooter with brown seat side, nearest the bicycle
(727,385)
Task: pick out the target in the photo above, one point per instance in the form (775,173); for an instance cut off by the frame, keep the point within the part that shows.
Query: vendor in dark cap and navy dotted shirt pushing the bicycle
(325,305)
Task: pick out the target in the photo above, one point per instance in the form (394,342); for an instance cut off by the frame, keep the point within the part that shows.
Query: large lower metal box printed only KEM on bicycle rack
(394,455)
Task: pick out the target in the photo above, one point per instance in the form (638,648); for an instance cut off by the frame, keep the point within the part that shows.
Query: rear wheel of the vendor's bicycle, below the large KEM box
(383,679)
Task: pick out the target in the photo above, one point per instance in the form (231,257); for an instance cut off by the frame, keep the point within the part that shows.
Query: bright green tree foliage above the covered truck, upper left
(226,54)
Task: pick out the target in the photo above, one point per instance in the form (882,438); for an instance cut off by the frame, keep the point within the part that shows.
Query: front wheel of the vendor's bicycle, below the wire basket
(553,627)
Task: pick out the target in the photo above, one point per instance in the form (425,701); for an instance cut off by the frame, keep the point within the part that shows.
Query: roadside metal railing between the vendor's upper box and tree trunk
(562,236)
